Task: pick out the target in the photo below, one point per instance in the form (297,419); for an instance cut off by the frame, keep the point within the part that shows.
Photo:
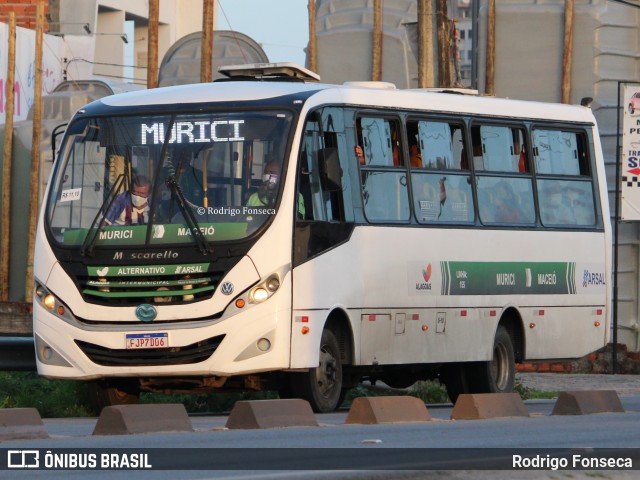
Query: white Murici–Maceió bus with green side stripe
(294,236)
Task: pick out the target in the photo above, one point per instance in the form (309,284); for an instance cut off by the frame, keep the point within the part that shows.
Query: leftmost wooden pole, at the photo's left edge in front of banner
(7,159)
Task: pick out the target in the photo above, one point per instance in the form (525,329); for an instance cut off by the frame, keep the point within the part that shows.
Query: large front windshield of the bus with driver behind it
(164,179)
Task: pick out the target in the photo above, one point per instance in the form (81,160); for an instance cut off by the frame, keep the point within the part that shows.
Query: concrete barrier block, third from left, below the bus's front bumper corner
(253,414)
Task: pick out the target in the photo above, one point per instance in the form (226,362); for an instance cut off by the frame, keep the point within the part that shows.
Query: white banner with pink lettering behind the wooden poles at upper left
(52,68)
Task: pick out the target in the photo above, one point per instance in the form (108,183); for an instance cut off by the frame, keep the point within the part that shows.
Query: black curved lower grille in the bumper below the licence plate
(194,353)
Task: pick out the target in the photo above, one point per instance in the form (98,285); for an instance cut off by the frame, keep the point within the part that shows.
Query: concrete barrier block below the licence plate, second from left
(133,419)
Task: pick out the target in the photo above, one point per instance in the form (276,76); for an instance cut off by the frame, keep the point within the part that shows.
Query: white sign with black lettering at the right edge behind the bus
(630,178)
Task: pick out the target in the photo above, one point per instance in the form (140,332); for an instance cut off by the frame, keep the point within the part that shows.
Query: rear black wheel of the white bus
(497,375)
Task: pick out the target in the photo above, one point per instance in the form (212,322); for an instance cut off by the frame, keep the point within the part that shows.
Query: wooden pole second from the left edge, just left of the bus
(35,151)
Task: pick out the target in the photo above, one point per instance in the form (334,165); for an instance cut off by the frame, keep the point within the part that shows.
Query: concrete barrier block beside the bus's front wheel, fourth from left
(399,409)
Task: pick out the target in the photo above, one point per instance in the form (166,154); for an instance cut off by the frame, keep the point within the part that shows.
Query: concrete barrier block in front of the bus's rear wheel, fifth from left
(488,405)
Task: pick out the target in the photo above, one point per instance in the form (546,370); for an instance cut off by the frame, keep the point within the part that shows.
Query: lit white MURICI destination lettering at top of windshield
(201,131)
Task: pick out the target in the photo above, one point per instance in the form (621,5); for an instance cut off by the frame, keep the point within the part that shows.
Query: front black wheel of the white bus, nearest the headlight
(322,386)
